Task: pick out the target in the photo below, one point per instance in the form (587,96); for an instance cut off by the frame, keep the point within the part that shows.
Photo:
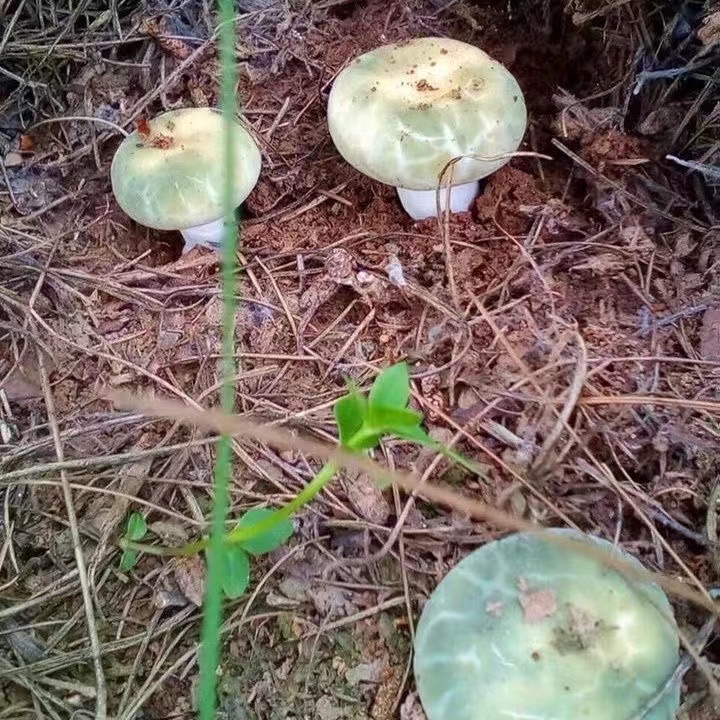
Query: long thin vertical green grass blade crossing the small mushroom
(212,615)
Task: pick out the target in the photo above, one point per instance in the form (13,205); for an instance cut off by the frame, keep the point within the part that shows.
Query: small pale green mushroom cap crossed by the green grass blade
(173,178)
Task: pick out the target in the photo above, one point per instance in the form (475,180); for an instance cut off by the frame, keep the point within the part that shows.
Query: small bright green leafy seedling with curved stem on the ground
(362,422)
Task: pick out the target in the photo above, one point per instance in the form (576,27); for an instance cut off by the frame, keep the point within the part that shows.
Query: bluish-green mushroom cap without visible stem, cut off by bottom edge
(524,628)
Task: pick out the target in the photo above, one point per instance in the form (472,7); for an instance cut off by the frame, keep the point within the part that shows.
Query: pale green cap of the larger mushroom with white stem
(401,112)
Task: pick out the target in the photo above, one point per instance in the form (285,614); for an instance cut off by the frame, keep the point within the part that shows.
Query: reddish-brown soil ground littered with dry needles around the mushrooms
(585,276)
